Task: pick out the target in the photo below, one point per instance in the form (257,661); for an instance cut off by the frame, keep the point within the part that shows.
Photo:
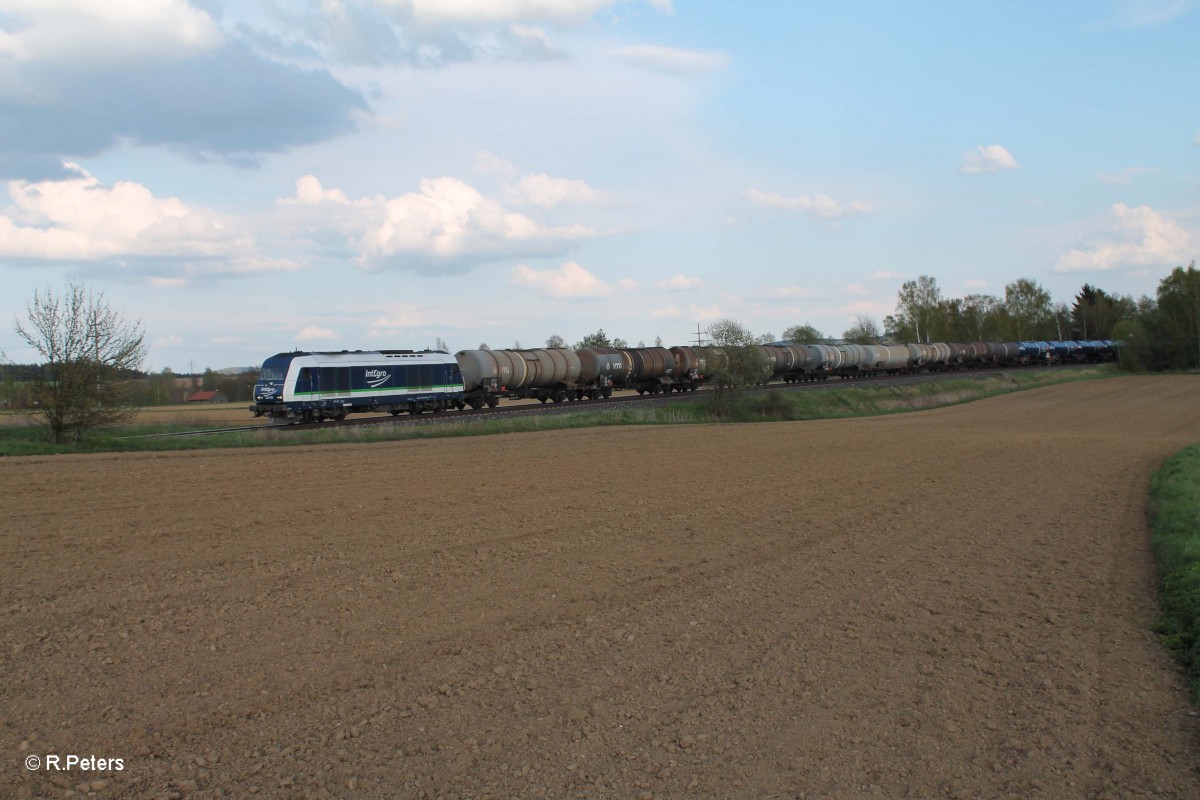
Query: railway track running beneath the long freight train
(613,404)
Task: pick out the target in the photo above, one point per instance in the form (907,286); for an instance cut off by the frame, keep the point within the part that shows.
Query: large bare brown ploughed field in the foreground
(955,603)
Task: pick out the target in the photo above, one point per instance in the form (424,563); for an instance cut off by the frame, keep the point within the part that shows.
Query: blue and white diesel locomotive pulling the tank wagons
(315,387)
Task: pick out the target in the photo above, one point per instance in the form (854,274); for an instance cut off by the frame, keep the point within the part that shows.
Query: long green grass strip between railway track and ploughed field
(839,402)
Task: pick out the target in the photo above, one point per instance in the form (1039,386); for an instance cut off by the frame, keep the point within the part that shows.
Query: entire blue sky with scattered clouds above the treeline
(254,177)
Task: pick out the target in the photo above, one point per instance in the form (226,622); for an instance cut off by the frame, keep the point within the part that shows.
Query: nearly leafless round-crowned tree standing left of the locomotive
(91,356)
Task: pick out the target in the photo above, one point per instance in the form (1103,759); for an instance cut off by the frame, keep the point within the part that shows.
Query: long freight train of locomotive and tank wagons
(315,387)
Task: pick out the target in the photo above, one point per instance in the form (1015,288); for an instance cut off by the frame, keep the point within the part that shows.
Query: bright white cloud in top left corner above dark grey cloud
(110,33)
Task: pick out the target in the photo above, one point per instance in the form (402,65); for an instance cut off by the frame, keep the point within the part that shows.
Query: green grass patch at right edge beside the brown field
(1174,513)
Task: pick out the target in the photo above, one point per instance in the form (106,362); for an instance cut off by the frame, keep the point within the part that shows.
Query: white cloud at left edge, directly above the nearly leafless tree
(81,220)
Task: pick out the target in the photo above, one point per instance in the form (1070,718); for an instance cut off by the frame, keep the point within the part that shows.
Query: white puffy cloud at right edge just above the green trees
(1142,237)
